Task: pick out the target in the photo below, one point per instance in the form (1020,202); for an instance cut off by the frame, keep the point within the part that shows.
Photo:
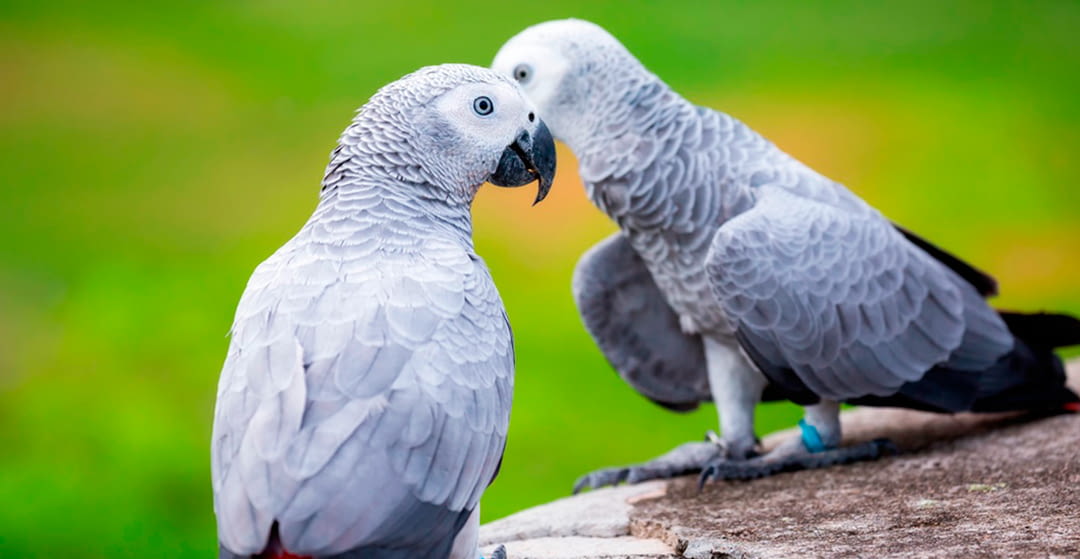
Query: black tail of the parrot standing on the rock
(1033,377)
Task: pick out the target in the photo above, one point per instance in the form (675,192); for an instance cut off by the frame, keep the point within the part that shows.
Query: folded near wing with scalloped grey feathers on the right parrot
(868,342)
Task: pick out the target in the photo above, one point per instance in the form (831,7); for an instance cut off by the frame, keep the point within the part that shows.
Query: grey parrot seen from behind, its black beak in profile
(364,402)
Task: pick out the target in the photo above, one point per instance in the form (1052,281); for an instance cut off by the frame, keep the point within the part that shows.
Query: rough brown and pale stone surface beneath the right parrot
(964,486)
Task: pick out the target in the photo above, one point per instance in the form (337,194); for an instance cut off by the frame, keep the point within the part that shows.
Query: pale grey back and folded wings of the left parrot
(368,413)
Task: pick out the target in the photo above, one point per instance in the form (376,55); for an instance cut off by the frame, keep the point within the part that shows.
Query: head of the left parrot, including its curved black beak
(455,127)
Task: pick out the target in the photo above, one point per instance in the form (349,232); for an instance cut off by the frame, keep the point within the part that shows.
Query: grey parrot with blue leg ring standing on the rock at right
(741,275)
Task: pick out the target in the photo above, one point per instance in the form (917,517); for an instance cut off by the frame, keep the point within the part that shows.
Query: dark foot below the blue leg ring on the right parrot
(792,457)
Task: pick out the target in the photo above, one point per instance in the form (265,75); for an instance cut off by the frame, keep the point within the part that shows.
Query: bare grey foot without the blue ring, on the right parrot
(684,459)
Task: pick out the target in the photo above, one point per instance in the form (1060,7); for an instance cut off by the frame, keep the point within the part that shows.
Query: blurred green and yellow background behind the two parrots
(152,156)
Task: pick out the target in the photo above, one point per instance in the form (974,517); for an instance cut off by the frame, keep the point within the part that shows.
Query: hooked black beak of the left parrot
(532,157)
